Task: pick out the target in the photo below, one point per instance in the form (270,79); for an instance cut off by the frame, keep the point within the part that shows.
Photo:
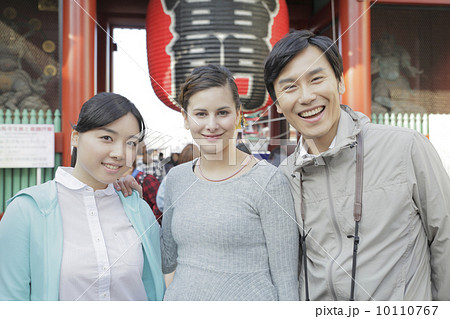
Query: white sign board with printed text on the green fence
(27,145)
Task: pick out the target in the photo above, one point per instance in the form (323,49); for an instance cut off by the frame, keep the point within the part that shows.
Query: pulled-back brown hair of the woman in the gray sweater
(206,77)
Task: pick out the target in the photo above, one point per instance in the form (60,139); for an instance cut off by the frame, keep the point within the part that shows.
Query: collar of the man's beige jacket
(350,124)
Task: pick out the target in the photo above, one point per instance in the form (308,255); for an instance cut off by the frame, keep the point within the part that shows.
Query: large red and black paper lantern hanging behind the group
(185,34)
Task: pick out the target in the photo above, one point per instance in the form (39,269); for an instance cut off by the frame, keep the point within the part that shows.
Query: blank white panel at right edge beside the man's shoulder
(439,129)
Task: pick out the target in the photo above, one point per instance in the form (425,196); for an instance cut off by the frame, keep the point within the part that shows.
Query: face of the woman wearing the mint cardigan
(105,153)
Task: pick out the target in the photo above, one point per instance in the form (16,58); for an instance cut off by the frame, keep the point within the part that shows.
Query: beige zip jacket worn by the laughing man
(404,250)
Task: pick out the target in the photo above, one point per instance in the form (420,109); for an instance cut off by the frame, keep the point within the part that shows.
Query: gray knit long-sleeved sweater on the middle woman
(230,240)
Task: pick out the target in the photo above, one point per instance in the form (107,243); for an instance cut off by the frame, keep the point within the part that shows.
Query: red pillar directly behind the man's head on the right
(354,25)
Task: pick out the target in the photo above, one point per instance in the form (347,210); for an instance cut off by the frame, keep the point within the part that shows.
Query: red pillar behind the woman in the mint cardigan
(78,64)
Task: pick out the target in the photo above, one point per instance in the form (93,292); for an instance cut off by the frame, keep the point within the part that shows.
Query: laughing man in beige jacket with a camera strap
(372,201)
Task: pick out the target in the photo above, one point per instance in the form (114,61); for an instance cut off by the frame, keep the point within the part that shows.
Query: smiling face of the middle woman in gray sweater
(212,117)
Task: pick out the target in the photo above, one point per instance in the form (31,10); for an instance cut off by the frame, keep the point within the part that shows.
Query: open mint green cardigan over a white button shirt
(31,245)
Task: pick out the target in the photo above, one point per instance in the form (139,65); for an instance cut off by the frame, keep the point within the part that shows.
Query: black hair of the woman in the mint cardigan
(103,109)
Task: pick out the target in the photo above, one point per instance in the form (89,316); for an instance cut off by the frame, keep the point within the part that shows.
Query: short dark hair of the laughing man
(292,44)
